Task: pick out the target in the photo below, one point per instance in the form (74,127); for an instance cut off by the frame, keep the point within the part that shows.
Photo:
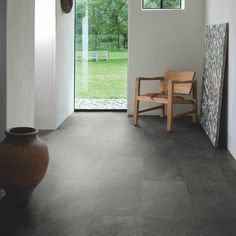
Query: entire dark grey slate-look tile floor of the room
(108,178)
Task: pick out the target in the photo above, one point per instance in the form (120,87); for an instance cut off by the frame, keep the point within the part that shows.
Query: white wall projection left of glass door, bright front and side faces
(54,64)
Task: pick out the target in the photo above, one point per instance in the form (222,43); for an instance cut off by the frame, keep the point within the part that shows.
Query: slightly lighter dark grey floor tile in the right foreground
(166,200)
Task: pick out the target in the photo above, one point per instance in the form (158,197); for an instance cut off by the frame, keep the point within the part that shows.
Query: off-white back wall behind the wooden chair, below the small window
(164,39)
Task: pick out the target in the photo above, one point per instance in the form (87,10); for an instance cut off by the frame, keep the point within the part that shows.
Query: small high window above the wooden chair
(161,4)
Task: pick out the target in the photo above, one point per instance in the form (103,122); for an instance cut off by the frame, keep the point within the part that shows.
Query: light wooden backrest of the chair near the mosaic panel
(180,76)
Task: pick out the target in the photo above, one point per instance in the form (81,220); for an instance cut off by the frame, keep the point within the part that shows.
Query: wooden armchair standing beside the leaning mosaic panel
(172,85)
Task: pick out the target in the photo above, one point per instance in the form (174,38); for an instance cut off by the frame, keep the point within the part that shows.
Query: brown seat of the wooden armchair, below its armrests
(163,98)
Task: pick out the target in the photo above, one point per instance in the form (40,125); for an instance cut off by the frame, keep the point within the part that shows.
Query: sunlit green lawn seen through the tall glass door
(102,79)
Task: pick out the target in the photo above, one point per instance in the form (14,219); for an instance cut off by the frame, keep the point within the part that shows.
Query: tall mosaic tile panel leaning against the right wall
(213,79)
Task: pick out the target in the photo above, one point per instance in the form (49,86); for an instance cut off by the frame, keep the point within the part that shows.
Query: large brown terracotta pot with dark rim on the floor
(23,162)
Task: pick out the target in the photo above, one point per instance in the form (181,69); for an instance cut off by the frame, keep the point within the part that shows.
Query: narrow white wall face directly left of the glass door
(64,64)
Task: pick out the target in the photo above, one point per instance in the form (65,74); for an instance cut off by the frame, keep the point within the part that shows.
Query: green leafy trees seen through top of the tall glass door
(105,17)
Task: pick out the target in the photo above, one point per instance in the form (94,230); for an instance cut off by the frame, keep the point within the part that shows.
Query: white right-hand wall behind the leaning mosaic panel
(218,11)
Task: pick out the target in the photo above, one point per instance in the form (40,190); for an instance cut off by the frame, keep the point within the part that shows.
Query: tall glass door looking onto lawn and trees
(101,43)
